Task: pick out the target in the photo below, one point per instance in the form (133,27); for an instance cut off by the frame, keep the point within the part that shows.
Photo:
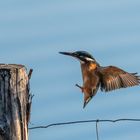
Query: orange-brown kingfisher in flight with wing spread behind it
(95,76)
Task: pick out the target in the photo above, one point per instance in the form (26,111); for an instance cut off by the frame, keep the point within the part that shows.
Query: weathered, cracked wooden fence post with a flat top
(14,102)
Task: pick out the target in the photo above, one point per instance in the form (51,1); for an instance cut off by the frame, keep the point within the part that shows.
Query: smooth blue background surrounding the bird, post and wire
(33,32)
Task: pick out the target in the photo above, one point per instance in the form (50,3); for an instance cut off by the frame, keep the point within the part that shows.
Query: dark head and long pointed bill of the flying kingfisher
(82,56)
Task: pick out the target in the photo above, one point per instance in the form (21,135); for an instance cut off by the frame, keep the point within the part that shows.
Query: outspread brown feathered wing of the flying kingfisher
(114,78)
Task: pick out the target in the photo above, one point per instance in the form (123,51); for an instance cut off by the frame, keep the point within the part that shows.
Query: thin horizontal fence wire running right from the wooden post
(80,122)
